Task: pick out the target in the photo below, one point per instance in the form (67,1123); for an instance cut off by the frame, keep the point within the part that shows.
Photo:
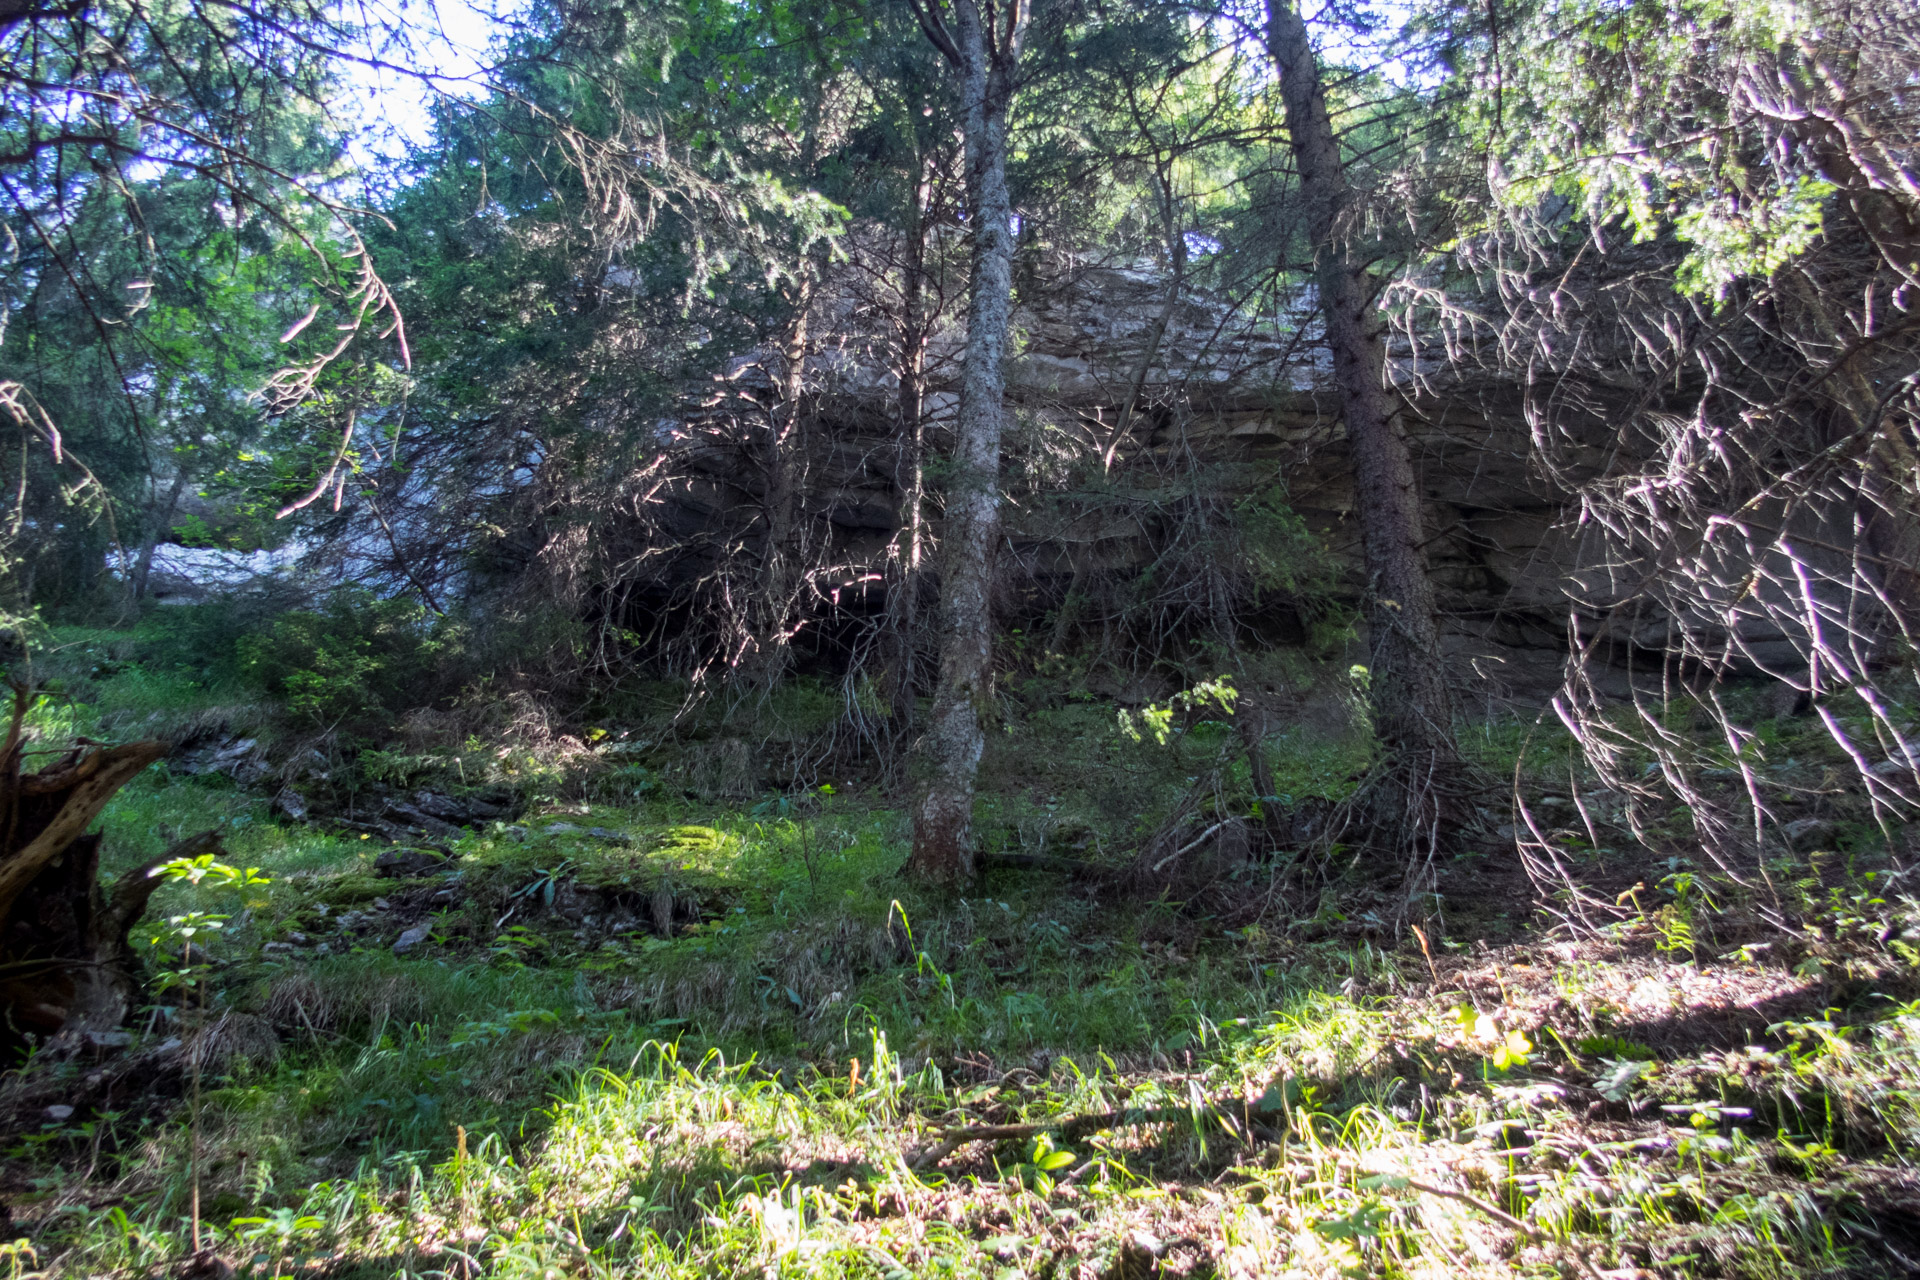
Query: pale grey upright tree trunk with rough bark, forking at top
(984,47)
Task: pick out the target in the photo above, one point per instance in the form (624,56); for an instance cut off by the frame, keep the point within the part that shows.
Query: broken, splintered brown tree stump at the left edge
(66,968)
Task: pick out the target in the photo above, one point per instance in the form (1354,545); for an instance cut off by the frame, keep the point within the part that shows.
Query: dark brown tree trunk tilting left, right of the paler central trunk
(1412,709)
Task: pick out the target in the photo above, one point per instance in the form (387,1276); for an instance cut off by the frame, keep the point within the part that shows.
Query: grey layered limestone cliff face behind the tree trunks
(1136,414)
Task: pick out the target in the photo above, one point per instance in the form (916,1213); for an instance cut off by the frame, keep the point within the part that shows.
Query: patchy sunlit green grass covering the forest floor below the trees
(554,1085)
